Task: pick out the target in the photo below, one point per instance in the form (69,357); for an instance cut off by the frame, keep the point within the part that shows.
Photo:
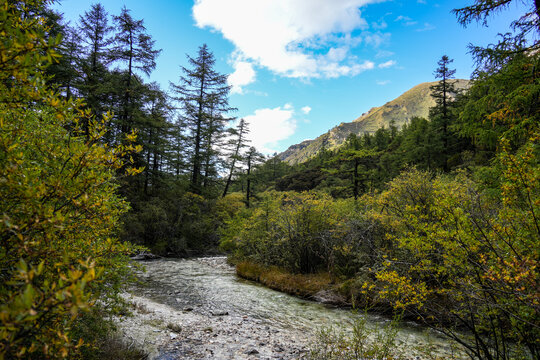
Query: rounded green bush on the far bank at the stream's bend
(300,232)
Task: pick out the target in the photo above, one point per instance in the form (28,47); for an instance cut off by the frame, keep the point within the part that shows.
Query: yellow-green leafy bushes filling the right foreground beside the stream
(465,259)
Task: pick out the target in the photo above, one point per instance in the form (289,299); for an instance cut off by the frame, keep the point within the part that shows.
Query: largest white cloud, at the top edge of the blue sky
(284,35)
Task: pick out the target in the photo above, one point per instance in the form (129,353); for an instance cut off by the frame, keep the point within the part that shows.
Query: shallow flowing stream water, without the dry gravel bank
(209,287)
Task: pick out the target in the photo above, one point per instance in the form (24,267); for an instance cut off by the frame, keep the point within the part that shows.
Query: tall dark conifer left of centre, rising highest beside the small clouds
(203,96)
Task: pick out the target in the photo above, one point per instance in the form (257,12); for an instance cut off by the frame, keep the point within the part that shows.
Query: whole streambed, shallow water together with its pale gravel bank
(199,309)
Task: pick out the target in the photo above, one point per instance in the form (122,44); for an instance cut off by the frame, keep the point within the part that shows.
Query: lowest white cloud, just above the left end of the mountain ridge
(268,126)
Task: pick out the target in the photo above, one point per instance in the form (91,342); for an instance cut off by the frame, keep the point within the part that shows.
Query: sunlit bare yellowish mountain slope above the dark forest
(414,102)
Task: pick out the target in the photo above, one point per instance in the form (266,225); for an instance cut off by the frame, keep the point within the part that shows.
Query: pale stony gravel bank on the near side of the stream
(166,333)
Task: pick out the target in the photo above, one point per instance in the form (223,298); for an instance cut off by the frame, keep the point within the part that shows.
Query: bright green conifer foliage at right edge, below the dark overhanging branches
(501,105)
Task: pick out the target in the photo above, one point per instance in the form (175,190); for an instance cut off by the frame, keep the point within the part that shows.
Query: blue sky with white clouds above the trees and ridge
(297,68)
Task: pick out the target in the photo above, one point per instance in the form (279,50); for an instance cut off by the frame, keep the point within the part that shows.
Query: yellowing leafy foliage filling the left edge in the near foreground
(58,205)
